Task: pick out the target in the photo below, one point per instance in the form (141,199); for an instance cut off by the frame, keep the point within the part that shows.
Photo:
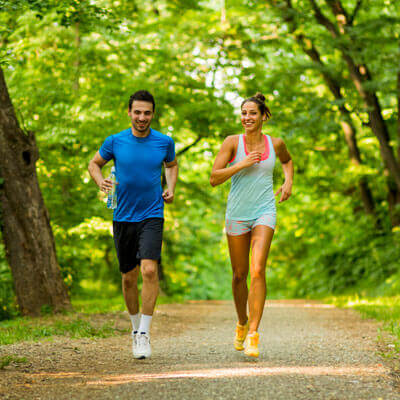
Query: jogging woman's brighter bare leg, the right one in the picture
(261,237)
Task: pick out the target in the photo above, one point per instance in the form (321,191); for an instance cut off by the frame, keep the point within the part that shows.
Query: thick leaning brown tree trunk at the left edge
(25,223)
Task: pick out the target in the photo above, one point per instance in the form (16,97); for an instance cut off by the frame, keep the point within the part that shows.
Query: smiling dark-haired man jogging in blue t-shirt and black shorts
(138,153)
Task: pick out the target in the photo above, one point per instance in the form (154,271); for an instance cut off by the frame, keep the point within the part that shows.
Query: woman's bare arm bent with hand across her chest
(219,173)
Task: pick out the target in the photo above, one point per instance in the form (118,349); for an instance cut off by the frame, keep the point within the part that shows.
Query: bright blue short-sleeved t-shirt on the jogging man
(138,163)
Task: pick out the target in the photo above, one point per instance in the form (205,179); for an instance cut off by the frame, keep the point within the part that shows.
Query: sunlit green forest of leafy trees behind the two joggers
(331,74)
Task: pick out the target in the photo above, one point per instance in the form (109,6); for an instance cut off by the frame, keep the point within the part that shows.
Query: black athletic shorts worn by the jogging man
(137,240)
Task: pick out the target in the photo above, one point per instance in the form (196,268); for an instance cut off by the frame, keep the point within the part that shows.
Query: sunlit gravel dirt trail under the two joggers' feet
(308,351)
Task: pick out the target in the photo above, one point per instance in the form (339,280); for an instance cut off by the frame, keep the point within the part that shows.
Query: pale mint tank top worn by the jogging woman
(252,193)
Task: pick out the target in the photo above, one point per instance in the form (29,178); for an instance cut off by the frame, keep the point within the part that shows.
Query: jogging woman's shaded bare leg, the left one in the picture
(239,247)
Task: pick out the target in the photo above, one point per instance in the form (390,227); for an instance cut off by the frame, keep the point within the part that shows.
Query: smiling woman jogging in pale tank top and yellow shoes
(251,212)
